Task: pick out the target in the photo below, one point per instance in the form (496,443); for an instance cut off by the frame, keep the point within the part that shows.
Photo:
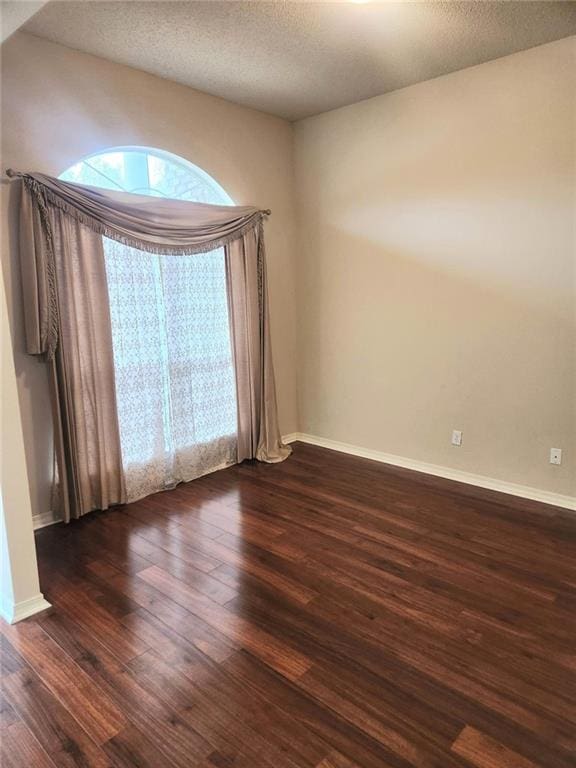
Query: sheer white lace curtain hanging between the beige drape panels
(175,382)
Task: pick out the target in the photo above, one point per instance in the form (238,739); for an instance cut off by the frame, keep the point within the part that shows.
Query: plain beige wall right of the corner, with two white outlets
(437,270)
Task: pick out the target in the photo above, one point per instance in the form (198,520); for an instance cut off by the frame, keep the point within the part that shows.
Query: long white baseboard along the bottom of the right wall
(524,491)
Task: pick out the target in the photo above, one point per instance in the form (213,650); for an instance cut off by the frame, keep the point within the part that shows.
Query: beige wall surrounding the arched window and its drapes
(59,105)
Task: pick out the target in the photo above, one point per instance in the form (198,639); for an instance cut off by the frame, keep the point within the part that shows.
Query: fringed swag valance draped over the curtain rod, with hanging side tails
(152,224)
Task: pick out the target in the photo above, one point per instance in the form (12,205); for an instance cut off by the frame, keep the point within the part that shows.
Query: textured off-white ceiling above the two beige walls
(296,59)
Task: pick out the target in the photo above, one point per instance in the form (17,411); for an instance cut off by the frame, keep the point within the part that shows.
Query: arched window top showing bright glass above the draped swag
(147,171)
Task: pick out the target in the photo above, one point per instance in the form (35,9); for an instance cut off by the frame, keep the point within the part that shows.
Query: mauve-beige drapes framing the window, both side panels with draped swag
(67,319)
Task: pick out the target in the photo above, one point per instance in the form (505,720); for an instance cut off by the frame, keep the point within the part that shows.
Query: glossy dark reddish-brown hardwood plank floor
(327,612)
